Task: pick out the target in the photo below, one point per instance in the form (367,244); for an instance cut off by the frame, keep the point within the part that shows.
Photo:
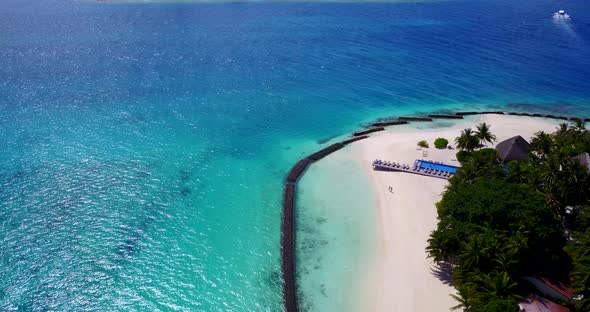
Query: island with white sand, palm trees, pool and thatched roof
(486,213)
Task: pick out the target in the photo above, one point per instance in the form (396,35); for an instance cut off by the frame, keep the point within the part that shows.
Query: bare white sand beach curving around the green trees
(401,277)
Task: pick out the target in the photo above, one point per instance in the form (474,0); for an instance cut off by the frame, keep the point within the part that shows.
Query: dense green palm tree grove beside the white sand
(499,223)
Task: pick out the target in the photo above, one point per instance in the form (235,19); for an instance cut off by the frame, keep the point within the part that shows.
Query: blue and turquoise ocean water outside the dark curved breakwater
(143,146)
